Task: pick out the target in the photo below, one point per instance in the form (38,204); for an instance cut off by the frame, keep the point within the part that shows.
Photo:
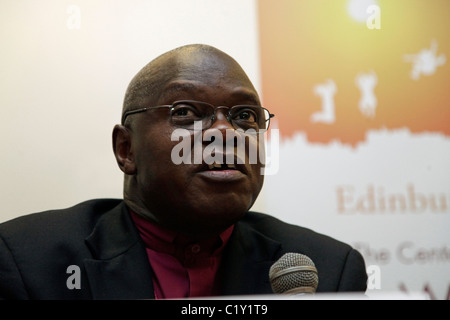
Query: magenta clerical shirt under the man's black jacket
(182,267)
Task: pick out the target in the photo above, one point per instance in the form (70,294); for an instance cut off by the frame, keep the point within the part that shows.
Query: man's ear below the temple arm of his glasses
(122,149)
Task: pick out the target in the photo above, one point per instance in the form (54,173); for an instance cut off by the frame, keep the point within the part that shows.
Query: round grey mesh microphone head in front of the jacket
(294,273)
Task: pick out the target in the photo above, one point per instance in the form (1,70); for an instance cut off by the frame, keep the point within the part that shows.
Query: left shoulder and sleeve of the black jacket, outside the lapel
(36,249)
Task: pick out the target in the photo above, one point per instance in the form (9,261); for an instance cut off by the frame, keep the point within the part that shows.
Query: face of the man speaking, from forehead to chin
(192,198)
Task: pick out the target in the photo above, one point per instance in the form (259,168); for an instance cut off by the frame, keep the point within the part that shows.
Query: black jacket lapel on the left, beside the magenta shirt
(120,268)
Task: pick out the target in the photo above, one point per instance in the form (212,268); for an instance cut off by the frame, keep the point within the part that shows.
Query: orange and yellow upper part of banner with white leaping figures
(337,68)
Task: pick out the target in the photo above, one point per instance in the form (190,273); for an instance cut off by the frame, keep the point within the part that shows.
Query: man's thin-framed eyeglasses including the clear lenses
(185,113)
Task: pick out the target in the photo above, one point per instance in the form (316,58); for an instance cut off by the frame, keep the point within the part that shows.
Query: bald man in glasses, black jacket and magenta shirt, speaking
(182,229)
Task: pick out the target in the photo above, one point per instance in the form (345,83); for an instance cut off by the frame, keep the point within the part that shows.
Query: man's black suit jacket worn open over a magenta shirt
(100,238)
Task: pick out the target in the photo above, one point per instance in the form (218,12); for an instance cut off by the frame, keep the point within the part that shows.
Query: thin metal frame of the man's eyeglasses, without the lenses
(228,115)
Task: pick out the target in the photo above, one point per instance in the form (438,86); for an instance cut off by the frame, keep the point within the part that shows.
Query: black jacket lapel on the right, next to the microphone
(247,260)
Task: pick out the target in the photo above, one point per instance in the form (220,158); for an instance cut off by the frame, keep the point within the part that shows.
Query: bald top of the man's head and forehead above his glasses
(187,72)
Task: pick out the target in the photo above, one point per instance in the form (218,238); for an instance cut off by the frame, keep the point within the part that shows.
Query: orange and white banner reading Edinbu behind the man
(361,93)
